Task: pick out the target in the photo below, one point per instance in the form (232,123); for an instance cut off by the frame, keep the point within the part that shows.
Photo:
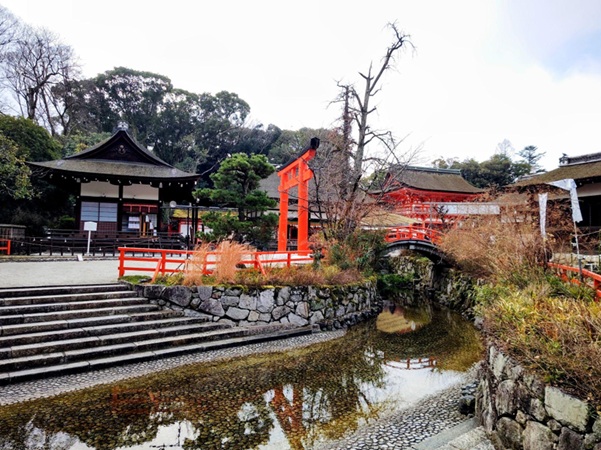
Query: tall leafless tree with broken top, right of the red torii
(341,193)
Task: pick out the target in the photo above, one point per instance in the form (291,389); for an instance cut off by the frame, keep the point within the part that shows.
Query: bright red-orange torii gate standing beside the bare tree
(297,173)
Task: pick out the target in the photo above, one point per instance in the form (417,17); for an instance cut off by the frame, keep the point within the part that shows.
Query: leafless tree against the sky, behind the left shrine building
(35,63)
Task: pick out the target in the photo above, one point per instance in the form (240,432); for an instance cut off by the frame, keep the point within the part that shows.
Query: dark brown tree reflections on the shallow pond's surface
(314,393)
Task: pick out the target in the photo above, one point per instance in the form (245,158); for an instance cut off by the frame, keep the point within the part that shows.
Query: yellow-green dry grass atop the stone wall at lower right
(559,337)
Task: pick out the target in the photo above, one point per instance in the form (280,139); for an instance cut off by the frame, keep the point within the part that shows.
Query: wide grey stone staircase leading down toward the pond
(49,331)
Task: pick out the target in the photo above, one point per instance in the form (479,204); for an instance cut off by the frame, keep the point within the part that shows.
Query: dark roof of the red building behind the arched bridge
(430,179)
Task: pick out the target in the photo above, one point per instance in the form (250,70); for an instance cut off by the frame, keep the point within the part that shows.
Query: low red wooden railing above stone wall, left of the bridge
(165,261)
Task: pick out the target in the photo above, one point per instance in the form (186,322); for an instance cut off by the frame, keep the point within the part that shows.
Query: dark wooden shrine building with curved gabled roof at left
(119,184)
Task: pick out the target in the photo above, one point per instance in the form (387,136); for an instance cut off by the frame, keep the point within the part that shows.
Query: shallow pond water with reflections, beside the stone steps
(293,400)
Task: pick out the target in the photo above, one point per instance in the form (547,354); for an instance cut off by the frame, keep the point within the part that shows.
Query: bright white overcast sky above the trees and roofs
(482,71)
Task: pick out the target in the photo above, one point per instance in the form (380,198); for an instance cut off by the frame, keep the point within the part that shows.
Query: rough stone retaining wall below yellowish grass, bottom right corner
(527,414)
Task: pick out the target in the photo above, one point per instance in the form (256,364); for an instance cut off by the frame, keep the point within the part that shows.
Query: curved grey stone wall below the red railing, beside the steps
(328,307)
